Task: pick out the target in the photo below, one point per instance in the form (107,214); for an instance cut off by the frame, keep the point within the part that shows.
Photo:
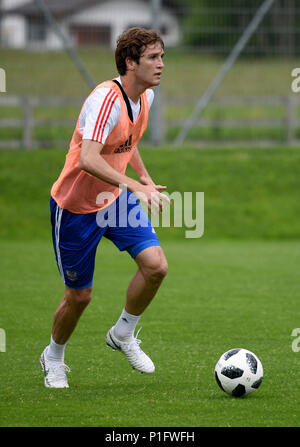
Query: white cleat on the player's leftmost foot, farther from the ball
(54,372)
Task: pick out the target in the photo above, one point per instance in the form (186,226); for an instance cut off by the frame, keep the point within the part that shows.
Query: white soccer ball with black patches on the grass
(238,372)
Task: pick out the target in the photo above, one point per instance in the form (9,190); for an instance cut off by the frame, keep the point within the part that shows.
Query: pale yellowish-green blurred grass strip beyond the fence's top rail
(43,73)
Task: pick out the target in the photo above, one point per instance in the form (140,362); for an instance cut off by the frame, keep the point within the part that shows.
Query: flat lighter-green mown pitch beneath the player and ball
(218,295)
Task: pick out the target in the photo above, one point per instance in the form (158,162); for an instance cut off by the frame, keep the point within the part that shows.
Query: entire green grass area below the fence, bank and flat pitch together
(237,286)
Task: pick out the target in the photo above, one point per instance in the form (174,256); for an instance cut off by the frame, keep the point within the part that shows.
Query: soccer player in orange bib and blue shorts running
(93,181)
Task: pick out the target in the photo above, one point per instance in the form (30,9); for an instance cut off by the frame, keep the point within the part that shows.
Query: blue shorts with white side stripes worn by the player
(76,236)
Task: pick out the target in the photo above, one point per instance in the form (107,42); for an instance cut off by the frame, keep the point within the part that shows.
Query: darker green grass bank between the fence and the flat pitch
(249,193)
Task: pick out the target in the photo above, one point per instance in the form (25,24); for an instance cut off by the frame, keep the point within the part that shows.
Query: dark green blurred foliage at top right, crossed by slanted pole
(216,25)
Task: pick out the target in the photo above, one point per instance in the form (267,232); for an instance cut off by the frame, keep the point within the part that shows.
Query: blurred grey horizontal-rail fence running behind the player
(29,123)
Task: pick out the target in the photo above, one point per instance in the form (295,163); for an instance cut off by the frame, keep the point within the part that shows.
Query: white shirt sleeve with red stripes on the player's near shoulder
(99,115)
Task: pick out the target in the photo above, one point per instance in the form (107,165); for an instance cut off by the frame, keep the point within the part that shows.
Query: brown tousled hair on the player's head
(131,43)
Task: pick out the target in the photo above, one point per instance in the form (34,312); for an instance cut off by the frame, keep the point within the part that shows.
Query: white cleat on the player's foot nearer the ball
(136,357)
